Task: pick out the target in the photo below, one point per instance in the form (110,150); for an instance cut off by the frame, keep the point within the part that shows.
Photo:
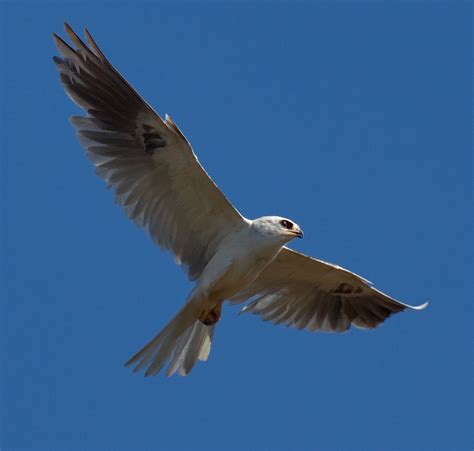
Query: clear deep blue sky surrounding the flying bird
(354,119)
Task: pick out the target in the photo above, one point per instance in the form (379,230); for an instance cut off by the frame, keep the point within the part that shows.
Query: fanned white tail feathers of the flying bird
(184,340)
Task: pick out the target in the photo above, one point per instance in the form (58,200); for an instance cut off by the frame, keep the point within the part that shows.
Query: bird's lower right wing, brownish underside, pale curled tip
(305,293)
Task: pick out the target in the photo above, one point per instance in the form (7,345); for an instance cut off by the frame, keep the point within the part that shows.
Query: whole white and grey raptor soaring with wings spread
(158,180)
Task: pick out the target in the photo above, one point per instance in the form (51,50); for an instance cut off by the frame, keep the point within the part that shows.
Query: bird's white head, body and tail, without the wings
(240,258)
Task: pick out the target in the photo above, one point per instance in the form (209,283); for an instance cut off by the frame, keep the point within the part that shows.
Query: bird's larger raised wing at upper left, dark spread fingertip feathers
(147,161)
